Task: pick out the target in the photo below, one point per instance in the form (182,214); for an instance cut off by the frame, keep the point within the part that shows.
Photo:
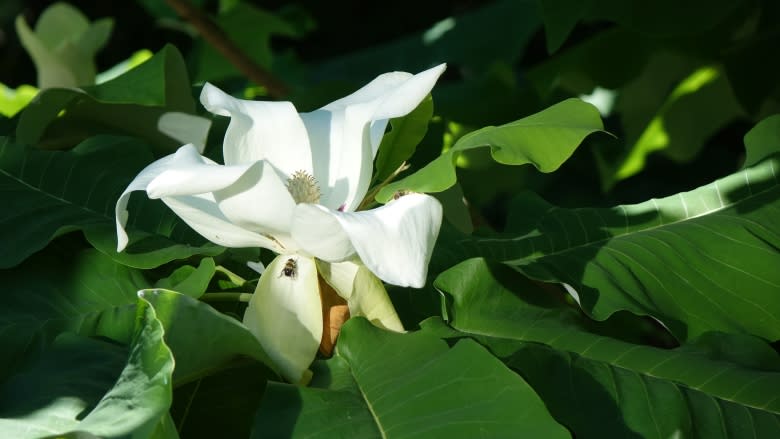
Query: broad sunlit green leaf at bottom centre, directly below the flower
(381,384)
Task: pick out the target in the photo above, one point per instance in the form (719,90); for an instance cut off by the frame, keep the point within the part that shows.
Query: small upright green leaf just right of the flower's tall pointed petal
(399,144)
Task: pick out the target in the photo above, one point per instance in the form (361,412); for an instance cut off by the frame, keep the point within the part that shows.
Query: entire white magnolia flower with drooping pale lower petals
(291,183)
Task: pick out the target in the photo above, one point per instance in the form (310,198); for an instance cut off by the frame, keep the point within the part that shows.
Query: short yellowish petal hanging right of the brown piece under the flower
(365,294)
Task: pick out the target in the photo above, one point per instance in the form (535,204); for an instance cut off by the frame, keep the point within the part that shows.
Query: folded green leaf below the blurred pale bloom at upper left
(132,103)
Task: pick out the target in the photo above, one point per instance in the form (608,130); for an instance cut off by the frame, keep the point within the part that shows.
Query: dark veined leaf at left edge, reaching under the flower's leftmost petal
(48,193)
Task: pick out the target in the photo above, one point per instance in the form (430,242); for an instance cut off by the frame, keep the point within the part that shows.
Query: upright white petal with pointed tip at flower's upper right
(346,133)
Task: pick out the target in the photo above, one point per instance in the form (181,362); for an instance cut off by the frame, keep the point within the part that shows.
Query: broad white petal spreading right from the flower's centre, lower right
(394,241)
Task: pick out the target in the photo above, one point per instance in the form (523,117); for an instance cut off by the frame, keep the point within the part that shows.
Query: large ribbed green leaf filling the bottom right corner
(601,387)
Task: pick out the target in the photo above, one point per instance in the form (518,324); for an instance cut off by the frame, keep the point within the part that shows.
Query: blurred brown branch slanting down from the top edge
(220,41)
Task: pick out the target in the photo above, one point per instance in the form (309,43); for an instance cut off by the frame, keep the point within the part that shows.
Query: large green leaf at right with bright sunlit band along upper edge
(698,261)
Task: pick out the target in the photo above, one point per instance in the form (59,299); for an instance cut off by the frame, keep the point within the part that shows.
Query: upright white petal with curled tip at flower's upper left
(260,130)
